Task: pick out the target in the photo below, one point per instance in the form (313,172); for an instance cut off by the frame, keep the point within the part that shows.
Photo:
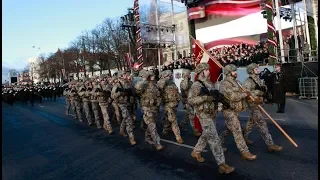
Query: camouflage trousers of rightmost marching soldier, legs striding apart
(256,119)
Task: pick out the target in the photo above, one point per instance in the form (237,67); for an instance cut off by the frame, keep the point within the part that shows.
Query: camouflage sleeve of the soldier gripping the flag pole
(232,94)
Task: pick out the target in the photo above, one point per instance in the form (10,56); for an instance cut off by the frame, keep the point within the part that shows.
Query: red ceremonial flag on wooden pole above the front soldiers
(202,56)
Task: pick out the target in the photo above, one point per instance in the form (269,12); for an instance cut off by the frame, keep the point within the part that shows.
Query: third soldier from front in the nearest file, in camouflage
(120,92)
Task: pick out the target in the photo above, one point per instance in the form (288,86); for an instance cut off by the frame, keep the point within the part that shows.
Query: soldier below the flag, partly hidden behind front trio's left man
(184,87)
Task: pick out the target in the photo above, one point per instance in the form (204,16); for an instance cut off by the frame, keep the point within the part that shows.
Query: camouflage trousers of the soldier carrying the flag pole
(233,125)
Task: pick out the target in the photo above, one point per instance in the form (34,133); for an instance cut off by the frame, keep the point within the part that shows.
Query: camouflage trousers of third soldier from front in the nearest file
(127,122)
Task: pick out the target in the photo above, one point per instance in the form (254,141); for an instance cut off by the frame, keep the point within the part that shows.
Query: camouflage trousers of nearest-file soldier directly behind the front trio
(151,134)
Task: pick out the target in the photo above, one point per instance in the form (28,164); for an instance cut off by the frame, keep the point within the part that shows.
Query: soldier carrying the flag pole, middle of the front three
(231,90)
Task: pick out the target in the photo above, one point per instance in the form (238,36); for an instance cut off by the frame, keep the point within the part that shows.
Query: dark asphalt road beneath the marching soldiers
(41,142)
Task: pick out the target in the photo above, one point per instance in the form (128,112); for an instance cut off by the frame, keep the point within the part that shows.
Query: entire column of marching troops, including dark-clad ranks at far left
(96,97)
